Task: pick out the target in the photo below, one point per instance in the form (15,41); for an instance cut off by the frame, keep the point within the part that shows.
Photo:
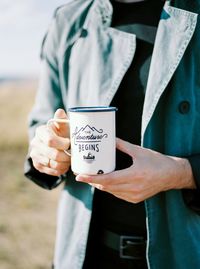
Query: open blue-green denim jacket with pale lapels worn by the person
(84,61)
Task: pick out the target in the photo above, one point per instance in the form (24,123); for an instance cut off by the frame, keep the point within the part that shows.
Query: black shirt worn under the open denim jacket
(141,19)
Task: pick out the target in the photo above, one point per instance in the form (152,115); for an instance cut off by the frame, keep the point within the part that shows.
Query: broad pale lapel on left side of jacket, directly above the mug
(103,55)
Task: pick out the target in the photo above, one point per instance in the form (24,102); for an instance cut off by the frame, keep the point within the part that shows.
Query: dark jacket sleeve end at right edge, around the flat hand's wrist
(192,197)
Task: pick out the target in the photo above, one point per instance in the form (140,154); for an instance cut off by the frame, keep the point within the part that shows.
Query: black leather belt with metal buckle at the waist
(129,247)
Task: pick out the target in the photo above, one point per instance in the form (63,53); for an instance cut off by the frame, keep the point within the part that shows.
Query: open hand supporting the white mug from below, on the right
(150,173)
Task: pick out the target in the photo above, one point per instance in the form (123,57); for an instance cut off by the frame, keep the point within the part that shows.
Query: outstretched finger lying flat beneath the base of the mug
(113,178)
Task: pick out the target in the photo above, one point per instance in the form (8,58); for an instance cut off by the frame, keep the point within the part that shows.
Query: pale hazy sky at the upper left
(23,24)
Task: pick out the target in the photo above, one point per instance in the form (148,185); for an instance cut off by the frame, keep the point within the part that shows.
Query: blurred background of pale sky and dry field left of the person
(27,213)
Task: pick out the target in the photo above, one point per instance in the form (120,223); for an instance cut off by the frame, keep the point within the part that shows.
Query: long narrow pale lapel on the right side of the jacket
(174,33)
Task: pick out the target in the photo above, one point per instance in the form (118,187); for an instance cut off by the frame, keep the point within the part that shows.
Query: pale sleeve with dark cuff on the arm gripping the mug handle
(48,99)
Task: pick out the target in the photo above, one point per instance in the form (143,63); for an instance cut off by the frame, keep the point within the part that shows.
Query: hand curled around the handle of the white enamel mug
(47,147)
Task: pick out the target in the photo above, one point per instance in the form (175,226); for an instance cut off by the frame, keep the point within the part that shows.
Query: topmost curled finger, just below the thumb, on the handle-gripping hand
(52,140)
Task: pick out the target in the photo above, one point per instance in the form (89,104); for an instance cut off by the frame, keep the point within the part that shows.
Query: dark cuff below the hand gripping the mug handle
(43,180)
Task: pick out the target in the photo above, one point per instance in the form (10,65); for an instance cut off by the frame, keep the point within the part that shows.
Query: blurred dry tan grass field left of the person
(27,212)
